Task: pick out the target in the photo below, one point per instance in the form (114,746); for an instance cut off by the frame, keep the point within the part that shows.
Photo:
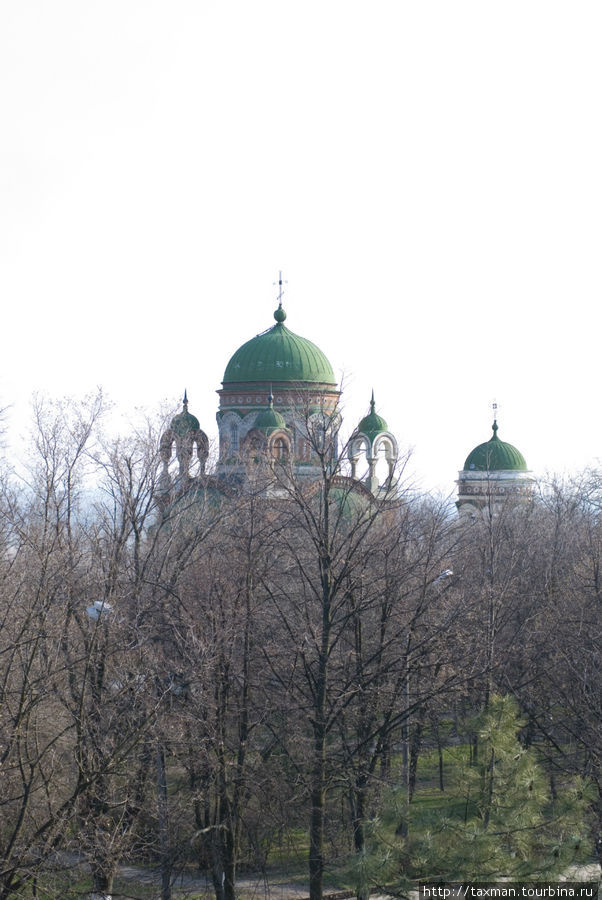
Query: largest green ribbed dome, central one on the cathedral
(279,355)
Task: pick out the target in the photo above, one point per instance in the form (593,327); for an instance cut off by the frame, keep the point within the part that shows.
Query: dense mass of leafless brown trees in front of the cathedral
(248,677)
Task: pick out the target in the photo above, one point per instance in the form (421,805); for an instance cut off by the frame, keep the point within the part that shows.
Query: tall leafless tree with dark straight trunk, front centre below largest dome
(328,530)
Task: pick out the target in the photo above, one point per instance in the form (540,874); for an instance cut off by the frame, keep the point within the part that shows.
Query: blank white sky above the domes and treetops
(426,174)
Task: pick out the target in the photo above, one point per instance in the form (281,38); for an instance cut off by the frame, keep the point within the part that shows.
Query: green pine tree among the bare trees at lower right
(501,821)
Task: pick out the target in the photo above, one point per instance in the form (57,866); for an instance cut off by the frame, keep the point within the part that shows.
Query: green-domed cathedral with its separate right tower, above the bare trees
(278,404)
